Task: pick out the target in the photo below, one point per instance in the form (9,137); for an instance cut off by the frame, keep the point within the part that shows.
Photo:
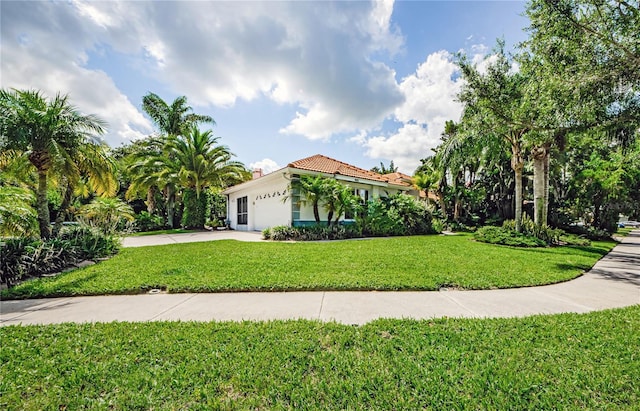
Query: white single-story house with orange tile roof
(265,201)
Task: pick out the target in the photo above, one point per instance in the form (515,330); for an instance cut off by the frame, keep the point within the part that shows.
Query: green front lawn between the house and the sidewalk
(402,263)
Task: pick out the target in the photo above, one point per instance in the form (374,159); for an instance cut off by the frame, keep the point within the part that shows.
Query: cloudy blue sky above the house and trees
(362,82)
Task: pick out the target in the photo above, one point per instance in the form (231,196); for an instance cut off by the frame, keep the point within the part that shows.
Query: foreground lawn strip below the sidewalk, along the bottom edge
(568,361)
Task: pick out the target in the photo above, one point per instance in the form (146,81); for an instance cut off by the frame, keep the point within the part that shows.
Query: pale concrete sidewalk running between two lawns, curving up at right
(613,282)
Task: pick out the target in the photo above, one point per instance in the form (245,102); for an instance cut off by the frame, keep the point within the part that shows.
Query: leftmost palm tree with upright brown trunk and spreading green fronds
(53,133)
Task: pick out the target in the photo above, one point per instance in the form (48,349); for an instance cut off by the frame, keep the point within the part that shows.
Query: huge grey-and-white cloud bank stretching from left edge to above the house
(316,56)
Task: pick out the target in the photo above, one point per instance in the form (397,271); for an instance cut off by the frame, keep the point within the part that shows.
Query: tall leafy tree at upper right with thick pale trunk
(585,57)
